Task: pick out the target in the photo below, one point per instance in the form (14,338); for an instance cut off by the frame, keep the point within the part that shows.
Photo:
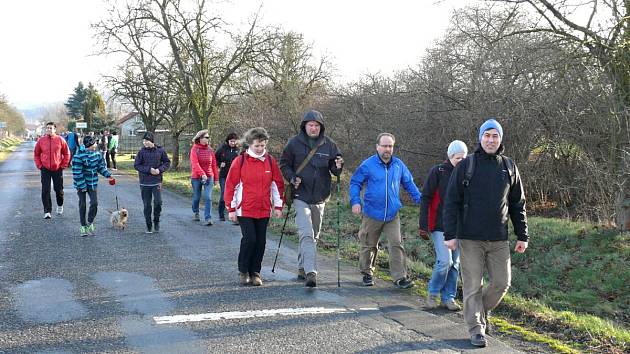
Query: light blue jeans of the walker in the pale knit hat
(445,270)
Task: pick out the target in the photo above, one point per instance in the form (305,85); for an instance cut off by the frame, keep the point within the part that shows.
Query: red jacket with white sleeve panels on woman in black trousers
(250,189)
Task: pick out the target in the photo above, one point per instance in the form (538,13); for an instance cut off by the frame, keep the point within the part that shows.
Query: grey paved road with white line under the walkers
(177,291)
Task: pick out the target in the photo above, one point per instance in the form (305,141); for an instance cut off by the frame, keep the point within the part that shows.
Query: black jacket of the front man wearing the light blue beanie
(491,201)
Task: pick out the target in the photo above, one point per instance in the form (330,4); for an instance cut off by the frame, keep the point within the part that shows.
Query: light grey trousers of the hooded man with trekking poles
(308,219)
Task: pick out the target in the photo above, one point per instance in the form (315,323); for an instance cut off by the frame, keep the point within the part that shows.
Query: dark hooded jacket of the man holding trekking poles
(316,181)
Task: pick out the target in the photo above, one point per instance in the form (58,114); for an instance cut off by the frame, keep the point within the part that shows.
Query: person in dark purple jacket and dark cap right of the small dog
(151,162)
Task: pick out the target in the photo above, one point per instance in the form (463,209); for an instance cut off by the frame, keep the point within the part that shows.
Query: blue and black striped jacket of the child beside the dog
(86,165)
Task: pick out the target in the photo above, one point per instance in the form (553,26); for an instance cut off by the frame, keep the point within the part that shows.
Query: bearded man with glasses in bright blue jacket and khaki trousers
(382,175)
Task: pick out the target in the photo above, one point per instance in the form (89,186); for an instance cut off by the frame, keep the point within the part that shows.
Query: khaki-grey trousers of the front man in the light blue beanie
(494,256)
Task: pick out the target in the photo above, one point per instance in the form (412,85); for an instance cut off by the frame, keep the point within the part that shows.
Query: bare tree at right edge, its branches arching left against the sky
(604,34)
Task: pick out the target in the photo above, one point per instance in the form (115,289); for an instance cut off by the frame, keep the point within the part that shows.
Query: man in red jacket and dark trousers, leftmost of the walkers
(51,156)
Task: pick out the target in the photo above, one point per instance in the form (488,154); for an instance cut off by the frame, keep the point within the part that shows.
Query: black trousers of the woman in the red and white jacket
(252,244)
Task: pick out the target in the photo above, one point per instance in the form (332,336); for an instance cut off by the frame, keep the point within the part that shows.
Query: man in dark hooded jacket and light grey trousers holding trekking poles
(311,186)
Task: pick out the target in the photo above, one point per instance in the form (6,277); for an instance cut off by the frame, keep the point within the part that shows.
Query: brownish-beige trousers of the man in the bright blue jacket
(369,233)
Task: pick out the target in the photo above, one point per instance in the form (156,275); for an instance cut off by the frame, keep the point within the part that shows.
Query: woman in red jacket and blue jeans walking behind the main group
(204,174)
